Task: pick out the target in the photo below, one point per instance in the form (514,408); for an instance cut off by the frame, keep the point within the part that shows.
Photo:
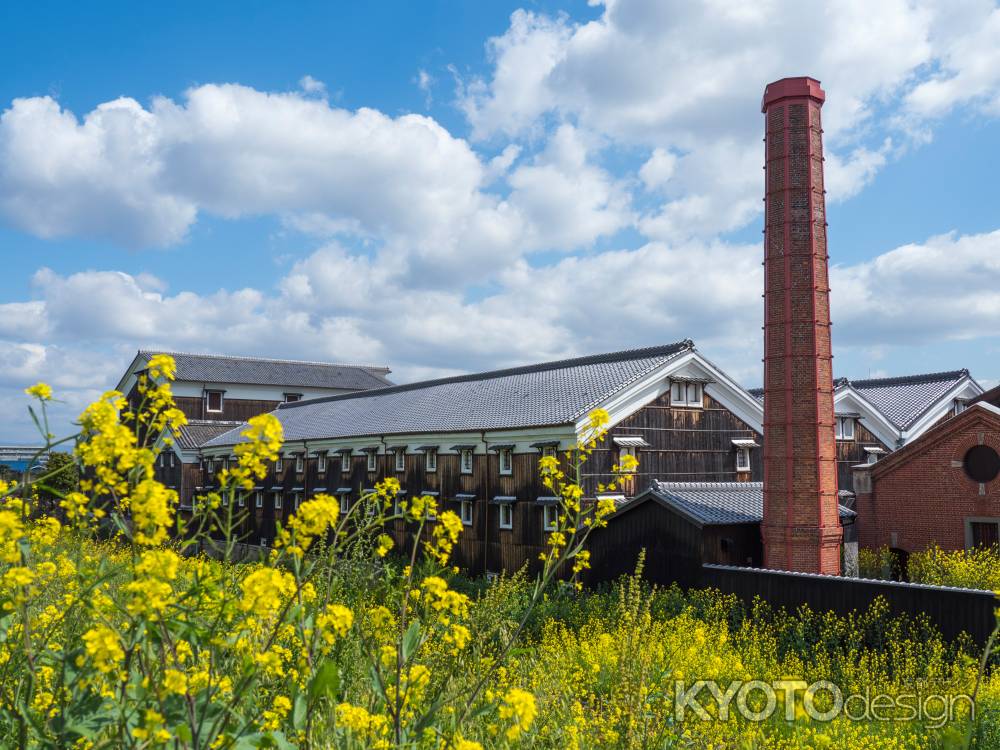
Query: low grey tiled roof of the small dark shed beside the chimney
(713,503)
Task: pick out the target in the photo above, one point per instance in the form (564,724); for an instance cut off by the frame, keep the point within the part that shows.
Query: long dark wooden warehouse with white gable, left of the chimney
(474,443)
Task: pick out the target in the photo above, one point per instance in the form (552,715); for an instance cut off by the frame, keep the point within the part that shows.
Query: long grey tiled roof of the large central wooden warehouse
(553,393)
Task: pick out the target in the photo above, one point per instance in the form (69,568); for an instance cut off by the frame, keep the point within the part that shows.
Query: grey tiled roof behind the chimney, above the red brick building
(902,400)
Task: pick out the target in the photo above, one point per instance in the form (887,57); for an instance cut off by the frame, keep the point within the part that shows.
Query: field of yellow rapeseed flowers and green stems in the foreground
(116,630)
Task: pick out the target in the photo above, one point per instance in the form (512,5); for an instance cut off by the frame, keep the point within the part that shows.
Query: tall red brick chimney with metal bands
(801,528)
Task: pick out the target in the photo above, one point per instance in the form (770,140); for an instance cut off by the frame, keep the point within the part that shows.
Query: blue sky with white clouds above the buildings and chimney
(452,186)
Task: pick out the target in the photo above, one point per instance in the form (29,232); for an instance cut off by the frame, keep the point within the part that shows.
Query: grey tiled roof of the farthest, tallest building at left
(212,368)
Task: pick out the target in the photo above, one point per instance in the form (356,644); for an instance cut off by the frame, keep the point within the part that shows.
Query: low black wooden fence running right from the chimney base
(952,610)
